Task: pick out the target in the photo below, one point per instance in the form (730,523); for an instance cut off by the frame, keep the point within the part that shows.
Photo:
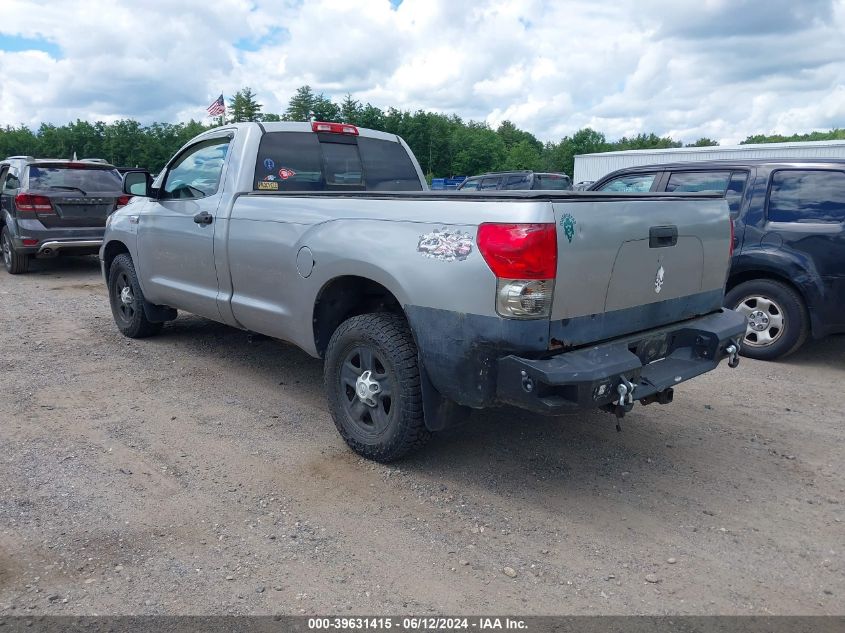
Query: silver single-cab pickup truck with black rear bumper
(424,305)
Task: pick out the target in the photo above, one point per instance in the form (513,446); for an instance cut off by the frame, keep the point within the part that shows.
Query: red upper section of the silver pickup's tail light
(519,251)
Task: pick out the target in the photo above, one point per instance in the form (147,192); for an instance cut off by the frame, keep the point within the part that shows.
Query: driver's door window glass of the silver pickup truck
(196,173)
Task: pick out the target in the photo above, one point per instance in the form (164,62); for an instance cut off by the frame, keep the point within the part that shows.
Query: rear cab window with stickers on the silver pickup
(306,161)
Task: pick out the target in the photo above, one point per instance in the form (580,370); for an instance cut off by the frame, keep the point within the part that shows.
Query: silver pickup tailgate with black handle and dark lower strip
(628,265)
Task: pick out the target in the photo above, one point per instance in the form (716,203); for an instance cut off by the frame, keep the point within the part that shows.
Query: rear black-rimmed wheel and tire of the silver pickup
(373,385)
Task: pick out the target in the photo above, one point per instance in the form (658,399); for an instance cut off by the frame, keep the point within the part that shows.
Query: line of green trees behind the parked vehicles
(445,145)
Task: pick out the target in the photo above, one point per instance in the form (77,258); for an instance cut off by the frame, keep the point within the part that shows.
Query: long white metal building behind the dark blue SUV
(594,166)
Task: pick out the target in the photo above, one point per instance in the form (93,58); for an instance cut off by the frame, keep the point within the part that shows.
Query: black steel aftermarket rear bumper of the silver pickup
(652,362)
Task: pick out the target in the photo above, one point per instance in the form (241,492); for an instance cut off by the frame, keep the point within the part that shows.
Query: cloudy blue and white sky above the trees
(688,68)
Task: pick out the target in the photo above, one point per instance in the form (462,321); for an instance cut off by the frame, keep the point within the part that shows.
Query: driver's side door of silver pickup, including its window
(176,230)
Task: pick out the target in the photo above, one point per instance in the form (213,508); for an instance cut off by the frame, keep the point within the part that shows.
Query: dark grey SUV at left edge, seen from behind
(52,207)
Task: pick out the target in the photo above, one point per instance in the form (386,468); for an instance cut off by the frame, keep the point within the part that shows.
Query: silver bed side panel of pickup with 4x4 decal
(422,251)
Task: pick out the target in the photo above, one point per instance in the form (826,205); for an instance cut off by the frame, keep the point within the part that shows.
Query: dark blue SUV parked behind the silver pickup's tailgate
(788,268)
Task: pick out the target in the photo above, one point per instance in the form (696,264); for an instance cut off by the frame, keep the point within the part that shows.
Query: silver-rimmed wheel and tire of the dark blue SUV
(778,323)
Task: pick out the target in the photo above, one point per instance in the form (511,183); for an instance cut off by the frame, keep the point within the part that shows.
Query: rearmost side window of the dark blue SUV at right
(807,196)
